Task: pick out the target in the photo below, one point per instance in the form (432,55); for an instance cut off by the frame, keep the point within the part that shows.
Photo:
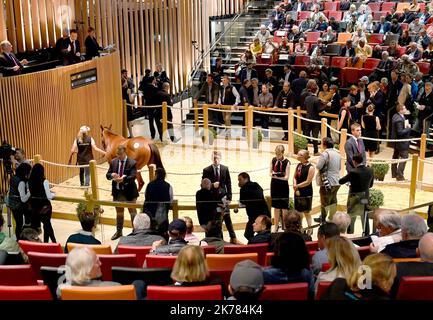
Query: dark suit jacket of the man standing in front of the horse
(128,188)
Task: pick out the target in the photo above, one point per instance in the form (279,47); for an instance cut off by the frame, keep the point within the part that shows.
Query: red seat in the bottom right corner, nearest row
(415,288)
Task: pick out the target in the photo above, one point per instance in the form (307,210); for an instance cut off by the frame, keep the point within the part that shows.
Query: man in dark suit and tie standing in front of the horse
(122,172)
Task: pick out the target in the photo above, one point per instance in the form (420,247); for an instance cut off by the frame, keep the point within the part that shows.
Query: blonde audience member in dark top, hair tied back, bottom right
(382,271)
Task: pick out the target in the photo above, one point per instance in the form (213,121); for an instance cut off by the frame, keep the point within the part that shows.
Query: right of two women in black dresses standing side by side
(303,186)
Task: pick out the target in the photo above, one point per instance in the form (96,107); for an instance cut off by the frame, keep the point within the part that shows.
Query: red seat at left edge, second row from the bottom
(17,275)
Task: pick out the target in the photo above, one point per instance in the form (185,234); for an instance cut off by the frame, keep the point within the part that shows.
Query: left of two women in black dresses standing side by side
(279,171)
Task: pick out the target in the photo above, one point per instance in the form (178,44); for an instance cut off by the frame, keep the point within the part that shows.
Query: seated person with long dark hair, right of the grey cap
(290,263)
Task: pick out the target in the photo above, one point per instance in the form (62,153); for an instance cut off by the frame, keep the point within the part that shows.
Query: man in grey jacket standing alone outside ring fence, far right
(400,129)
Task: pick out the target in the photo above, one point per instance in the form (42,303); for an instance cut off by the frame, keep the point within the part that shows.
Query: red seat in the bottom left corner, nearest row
(25,293)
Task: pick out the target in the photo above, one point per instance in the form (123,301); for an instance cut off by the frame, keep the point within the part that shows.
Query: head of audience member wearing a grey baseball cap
(246,281)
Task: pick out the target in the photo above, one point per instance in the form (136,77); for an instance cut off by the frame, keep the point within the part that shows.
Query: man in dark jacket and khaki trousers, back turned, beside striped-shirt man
(361,180)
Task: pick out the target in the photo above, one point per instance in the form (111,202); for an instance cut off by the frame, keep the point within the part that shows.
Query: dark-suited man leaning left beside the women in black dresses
(251,196)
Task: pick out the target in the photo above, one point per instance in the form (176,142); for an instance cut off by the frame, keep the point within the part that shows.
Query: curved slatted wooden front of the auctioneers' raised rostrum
(41,113)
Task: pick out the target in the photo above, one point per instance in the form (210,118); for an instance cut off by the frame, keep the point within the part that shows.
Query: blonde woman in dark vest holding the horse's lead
(83,146)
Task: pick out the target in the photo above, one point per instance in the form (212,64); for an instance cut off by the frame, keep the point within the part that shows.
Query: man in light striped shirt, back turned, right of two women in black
(328,175)
